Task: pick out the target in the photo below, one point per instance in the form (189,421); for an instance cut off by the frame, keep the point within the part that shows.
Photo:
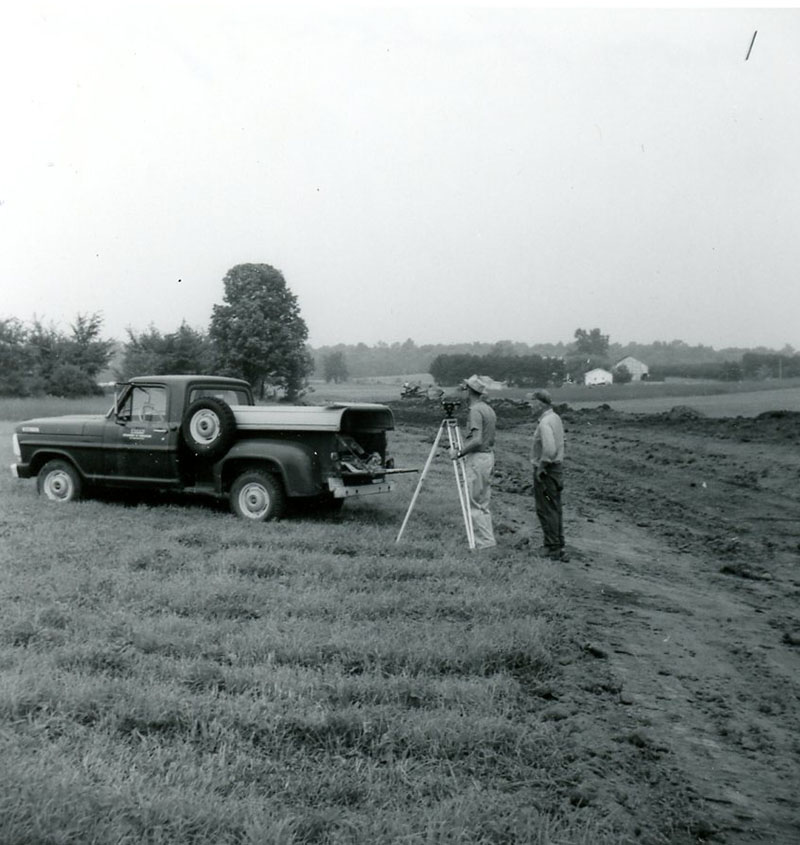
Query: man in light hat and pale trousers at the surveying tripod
(477,450)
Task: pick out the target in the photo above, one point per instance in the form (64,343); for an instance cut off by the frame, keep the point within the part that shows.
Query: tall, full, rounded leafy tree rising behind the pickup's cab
(258,333)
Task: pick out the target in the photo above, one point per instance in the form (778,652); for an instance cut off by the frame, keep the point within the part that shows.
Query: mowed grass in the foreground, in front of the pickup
(171,674)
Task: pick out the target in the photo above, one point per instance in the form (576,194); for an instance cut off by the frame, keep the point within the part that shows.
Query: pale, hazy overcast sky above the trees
(442,172)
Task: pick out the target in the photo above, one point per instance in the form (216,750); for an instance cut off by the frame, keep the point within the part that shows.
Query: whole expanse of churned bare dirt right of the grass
(685,575)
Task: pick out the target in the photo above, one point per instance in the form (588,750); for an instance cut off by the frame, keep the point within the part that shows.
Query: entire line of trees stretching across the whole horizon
(257,333)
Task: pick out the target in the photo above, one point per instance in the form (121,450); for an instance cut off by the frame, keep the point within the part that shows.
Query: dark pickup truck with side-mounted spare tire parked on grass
(205,434)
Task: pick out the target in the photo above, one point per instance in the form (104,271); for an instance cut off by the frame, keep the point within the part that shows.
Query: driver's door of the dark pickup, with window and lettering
(141,446)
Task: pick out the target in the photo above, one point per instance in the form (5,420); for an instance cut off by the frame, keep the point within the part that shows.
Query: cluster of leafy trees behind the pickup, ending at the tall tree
(256,333)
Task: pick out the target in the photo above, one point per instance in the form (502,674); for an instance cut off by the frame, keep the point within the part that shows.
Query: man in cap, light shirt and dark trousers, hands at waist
(547,457)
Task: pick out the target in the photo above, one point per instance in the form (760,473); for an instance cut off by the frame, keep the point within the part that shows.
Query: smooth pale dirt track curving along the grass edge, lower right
(695,666)
